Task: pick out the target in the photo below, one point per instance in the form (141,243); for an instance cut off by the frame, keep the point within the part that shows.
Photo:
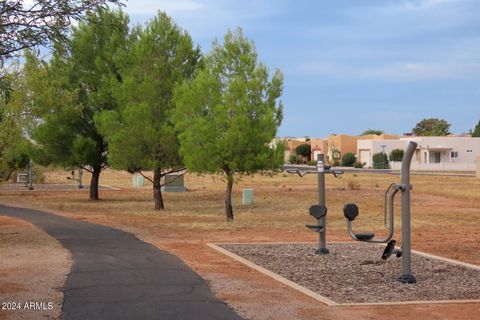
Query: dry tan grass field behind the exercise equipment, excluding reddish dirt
(442,207)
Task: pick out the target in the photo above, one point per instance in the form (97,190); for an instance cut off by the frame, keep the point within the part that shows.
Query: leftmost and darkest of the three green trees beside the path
(70,89)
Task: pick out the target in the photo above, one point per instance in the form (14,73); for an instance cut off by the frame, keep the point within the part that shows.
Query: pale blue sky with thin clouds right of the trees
(351,65)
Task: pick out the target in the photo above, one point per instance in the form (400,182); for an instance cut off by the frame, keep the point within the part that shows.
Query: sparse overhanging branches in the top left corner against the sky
(25,24)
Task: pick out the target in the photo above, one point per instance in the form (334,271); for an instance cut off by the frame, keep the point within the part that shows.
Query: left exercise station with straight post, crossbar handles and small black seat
(319,211)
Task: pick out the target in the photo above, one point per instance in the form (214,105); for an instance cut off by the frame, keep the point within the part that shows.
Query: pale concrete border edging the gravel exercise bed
(327,301)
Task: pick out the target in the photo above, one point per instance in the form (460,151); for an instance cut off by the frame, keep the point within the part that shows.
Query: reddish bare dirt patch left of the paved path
(33,270)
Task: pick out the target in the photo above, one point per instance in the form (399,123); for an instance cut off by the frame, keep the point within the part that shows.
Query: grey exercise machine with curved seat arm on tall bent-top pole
(351,211)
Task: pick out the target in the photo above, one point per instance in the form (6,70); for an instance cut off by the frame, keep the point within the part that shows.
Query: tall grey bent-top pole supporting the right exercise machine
(406,276)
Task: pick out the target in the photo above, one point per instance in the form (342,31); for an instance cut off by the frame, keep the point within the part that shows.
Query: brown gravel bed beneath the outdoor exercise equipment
(355,273)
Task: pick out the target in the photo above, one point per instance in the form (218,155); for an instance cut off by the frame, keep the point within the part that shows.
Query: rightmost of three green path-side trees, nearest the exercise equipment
(229,114)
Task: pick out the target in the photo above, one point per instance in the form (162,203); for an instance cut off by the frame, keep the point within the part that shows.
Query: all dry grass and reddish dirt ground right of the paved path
(445,222)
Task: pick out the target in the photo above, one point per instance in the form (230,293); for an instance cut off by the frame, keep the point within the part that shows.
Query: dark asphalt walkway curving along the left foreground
(117,276)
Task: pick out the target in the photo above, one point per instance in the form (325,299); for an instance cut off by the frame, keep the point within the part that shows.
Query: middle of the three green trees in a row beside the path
(140,133)
